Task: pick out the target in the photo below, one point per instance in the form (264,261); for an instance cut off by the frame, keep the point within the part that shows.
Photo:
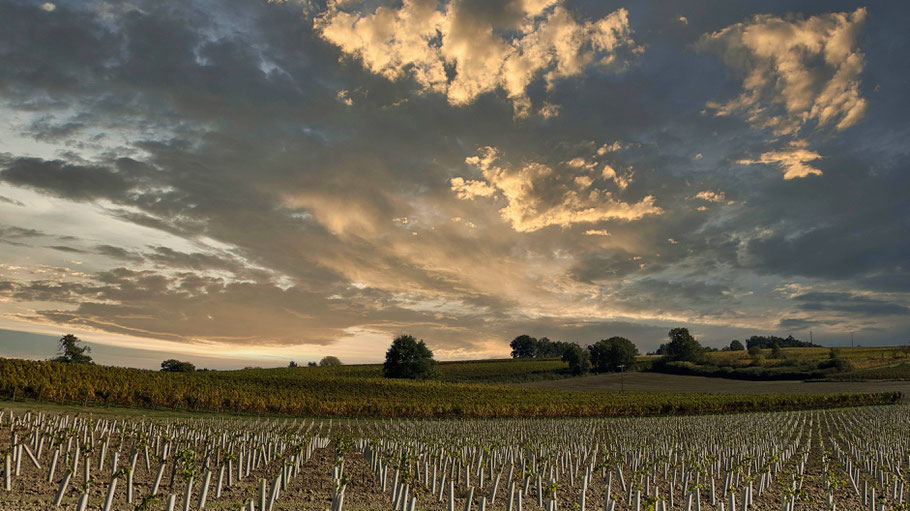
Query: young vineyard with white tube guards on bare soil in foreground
(839,459)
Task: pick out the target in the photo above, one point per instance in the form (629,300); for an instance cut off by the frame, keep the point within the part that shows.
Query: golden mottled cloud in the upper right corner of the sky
(795,70)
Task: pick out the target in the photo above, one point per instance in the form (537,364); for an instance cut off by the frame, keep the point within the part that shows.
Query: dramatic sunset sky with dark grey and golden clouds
(241,182)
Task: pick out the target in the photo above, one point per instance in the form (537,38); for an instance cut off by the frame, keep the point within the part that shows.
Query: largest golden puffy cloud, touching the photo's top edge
(462,51)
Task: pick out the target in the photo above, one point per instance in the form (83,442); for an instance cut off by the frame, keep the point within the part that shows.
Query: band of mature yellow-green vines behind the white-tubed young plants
(307,392)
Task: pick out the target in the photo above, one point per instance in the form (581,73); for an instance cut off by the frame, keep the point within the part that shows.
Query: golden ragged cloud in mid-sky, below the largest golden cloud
(536,196)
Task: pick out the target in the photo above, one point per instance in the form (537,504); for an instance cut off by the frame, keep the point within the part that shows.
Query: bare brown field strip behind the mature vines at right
(659,382)
